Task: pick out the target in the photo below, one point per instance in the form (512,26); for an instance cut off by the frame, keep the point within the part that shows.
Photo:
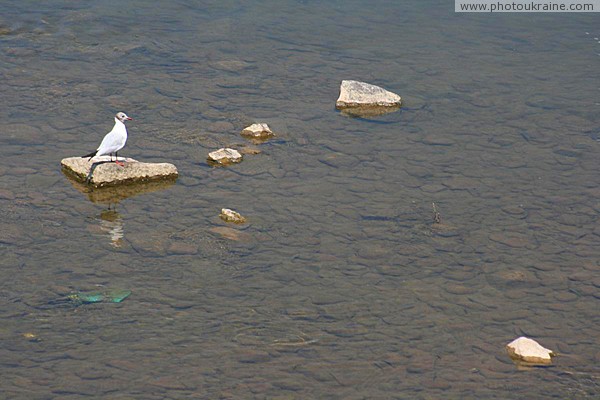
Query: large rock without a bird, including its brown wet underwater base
(364,99)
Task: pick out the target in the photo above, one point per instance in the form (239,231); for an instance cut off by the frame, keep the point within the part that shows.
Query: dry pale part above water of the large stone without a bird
(361,94)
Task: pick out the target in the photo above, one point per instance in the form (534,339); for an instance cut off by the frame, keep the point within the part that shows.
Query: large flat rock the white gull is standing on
(110,174)
